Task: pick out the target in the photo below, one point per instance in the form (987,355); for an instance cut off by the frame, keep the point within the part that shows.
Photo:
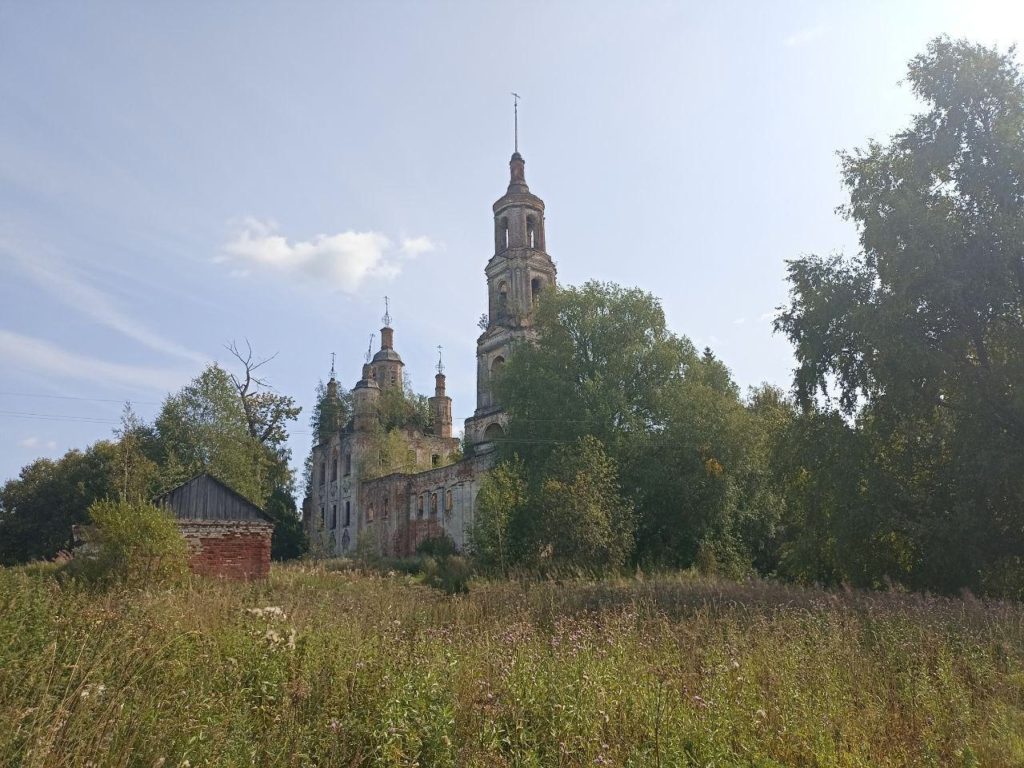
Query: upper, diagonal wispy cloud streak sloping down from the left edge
(71,287)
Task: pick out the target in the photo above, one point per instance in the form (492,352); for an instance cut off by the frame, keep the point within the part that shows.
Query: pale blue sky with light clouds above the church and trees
(178,176)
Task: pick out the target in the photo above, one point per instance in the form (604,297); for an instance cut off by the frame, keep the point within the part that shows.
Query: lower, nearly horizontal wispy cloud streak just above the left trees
(45,358)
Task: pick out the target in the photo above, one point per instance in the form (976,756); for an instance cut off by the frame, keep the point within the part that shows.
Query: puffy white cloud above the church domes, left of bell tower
(344,262)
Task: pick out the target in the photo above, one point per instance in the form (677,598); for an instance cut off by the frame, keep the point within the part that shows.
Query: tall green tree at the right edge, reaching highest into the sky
(920,338)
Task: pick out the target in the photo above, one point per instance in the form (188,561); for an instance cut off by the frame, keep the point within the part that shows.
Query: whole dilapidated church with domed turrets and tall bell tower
(357,497)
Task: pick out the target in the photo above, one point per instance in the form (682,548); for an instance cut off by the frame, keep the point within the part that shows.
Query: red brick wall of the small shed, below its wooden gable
(229,549)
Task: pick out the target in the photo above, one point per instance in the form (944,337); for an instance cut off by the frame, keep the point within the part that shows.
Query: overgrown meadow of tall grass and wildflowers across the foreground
(369,670)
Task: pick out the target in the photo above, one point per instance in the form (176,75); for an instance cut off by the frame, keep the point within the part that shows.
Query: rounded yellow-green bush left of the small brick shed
(138,545)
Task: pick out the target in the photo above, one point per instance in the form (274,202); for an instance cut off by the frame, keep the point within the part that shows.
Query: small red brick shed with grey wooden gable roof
(228,535)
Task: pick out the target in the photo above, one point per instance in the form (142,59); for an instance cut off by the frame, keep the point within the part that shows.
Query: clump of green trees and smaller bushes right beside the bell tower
(669,449)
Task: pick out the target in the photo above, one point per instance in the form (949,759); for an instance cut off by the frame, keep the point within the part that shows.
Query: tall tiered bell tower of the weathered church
(518,274)
